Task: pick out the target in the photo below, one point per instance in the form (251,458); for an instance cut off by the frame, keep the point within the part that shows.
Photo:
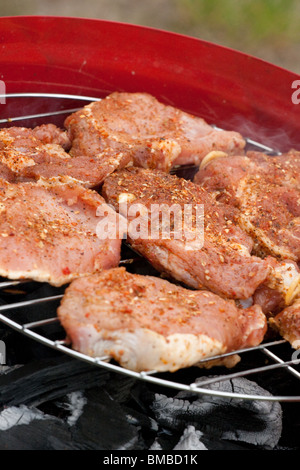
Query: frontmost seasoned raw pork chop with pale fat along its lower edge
(147,323)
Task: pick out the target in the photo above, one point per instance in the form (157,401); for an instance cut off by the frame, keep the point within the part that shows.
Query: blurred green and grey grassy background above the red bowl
(265,28)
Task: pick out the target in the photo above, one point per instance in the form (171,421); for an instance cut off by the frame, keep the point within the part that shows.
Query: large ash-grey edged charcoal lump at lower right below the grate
(254,422)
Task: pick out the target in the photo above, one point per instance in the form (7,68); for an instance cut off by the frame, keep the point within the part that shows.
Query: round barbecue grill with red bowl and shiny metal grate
(53,66)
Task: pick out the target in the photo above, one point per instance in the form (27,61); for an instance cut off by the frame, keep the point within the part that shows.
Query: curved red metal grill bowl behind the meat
(94,57)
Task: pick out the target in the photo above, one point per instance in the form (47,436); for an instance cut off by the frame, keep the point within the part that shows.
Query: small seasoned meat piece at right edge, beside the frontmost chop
(287,323)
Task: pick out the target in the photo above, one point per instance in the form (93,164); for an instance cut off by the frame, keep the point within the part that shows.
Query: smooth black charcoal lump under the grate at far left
(40,381)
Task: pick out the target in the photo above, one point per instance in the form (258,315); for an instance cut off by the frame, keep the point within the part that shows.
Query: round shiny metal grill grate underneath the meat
(278,352)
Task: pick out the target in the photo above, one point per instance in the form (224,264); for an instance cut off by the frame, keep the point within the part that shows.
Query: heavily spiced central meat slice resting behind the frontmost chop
(220,260)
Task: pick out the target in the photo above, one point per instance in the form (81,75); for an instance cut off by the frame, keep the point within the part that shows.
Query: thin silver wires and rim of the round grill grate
(28,329)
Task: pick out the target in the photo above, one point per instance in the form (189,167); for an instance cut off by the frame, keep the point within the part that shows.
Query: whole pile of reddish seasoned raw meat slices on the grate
(53,228)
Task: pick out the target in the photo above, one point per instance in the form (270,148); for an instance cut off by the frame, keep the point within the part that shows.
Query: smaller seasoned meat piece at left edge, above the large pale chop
(29,154)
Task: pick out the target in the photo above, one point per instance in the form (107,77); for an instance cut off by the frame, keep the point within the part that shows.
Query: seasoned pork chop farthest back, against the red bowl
(140,130)
